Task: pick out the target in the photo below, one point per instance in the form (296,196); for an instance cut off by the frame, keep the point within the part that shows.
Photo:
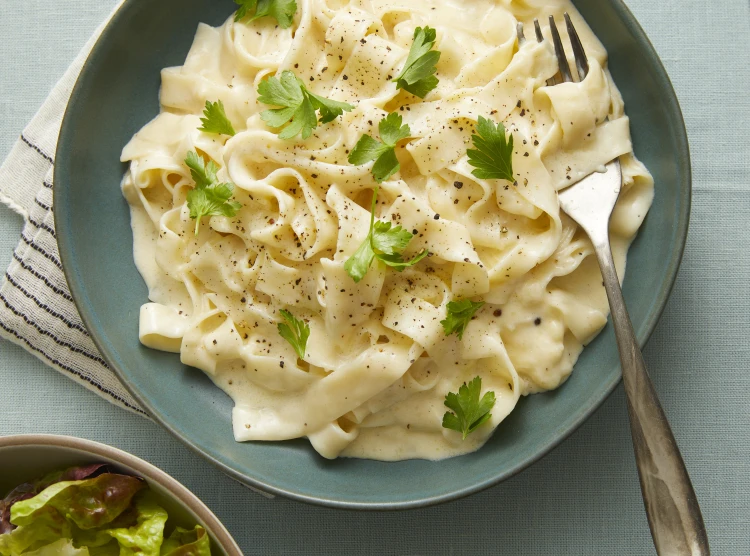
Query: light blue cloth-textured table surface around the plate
(583,498)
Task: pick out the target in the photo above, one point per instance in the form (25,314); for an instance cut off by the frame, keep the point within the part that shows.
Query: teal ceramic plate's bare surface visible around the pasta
(117,93)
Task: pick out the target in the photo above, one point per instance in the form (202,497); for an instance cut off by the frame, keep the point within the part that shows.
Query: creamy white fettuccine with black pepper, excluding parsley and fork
(378,364)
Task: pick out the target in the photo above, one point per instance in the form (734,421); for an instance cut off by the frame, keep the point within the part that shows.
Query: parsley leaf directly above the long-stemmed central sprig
(383,153)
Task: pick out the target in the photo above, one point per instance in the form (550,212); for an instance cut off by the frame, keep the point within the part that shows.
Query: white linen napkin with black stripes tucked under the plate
(36,309)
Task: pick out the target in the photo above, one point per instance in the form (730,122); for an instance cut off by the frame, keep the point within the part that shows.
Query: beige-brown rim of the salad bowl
(145,469)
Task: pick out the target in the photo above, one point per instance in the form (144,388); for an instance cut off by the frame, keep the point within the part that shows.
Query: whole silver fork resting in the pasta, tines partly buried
(671,505)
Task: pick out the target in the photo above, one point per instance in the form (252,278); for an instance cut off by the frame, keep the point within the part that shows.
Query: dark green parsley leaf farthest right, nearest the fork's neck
(493,156)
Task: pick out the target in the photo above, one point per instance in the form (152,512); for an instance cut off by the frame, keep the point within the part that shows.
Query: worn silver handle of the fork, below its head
(671,505)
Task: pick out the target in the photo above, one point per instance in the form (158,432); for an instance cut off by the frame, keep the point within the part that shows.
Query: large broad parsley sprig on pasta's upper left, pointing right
(298,106)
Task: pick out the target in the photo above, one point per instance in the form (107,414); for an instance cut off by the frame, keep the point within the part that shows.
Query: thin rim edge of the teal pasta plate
(682,224)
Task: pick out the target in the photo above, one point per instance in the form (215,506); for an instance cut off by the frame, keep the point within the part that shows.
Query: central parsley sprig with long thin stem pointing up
(385,243)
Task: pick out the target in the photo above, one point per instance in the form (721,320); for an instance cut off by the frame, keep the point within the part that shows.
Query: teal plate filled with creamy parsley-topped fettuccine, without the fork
(320,240)
